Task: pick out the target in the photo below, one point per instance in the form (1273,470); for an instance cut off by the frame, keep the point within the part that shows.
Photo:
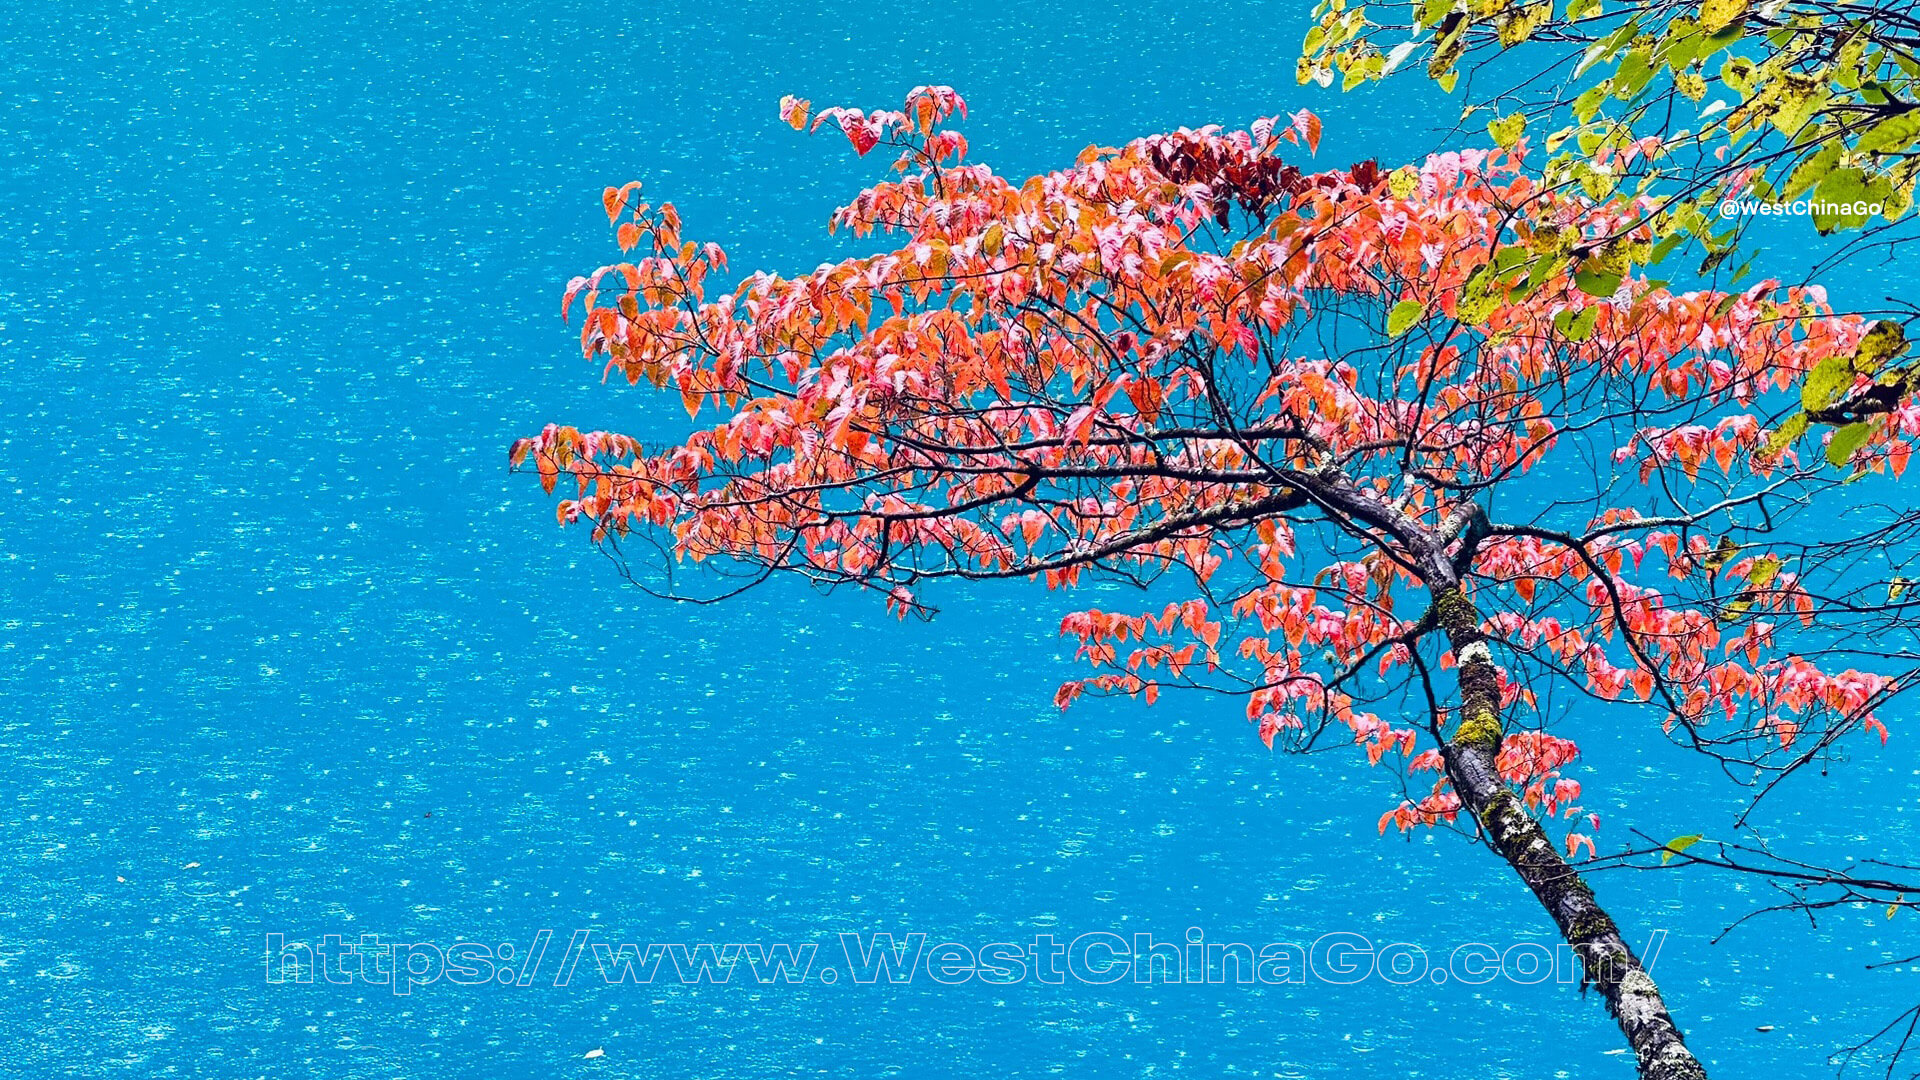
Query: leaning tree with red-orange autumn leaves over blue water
(1345,420)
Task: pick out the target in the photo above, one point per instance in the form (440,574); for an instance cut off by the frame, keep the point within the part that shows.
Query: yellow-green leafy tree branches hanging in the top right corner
(1689,101)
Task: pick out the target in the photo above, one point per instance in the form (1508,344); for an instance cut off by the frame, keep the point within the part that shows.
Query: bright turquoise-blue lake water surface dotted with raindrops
(285,650)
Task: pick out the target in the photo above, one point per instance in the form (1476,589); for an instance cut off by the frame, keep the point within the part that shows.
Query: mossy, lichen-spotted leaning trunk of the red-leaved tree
(1470,762)
